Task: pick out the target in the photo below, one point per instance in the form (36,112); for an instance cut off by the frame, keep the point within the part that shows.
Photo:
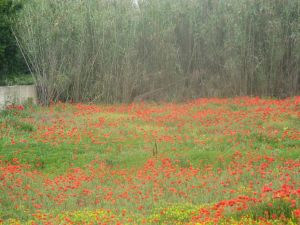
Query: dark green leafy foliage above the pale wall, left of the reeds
(11,60)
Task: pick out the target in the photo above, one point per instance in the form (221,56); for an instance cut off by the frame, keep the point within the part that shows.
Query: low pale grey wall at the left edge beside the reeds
(17,94)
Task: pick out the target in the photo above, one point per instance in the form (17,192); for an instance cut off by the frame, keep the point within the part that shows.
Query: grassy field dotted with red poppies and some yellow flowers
(206,161)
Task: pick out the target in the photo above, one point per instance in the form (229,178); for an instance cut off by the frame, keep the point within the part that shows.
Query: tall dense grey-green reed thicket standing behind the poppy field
(117,51)
